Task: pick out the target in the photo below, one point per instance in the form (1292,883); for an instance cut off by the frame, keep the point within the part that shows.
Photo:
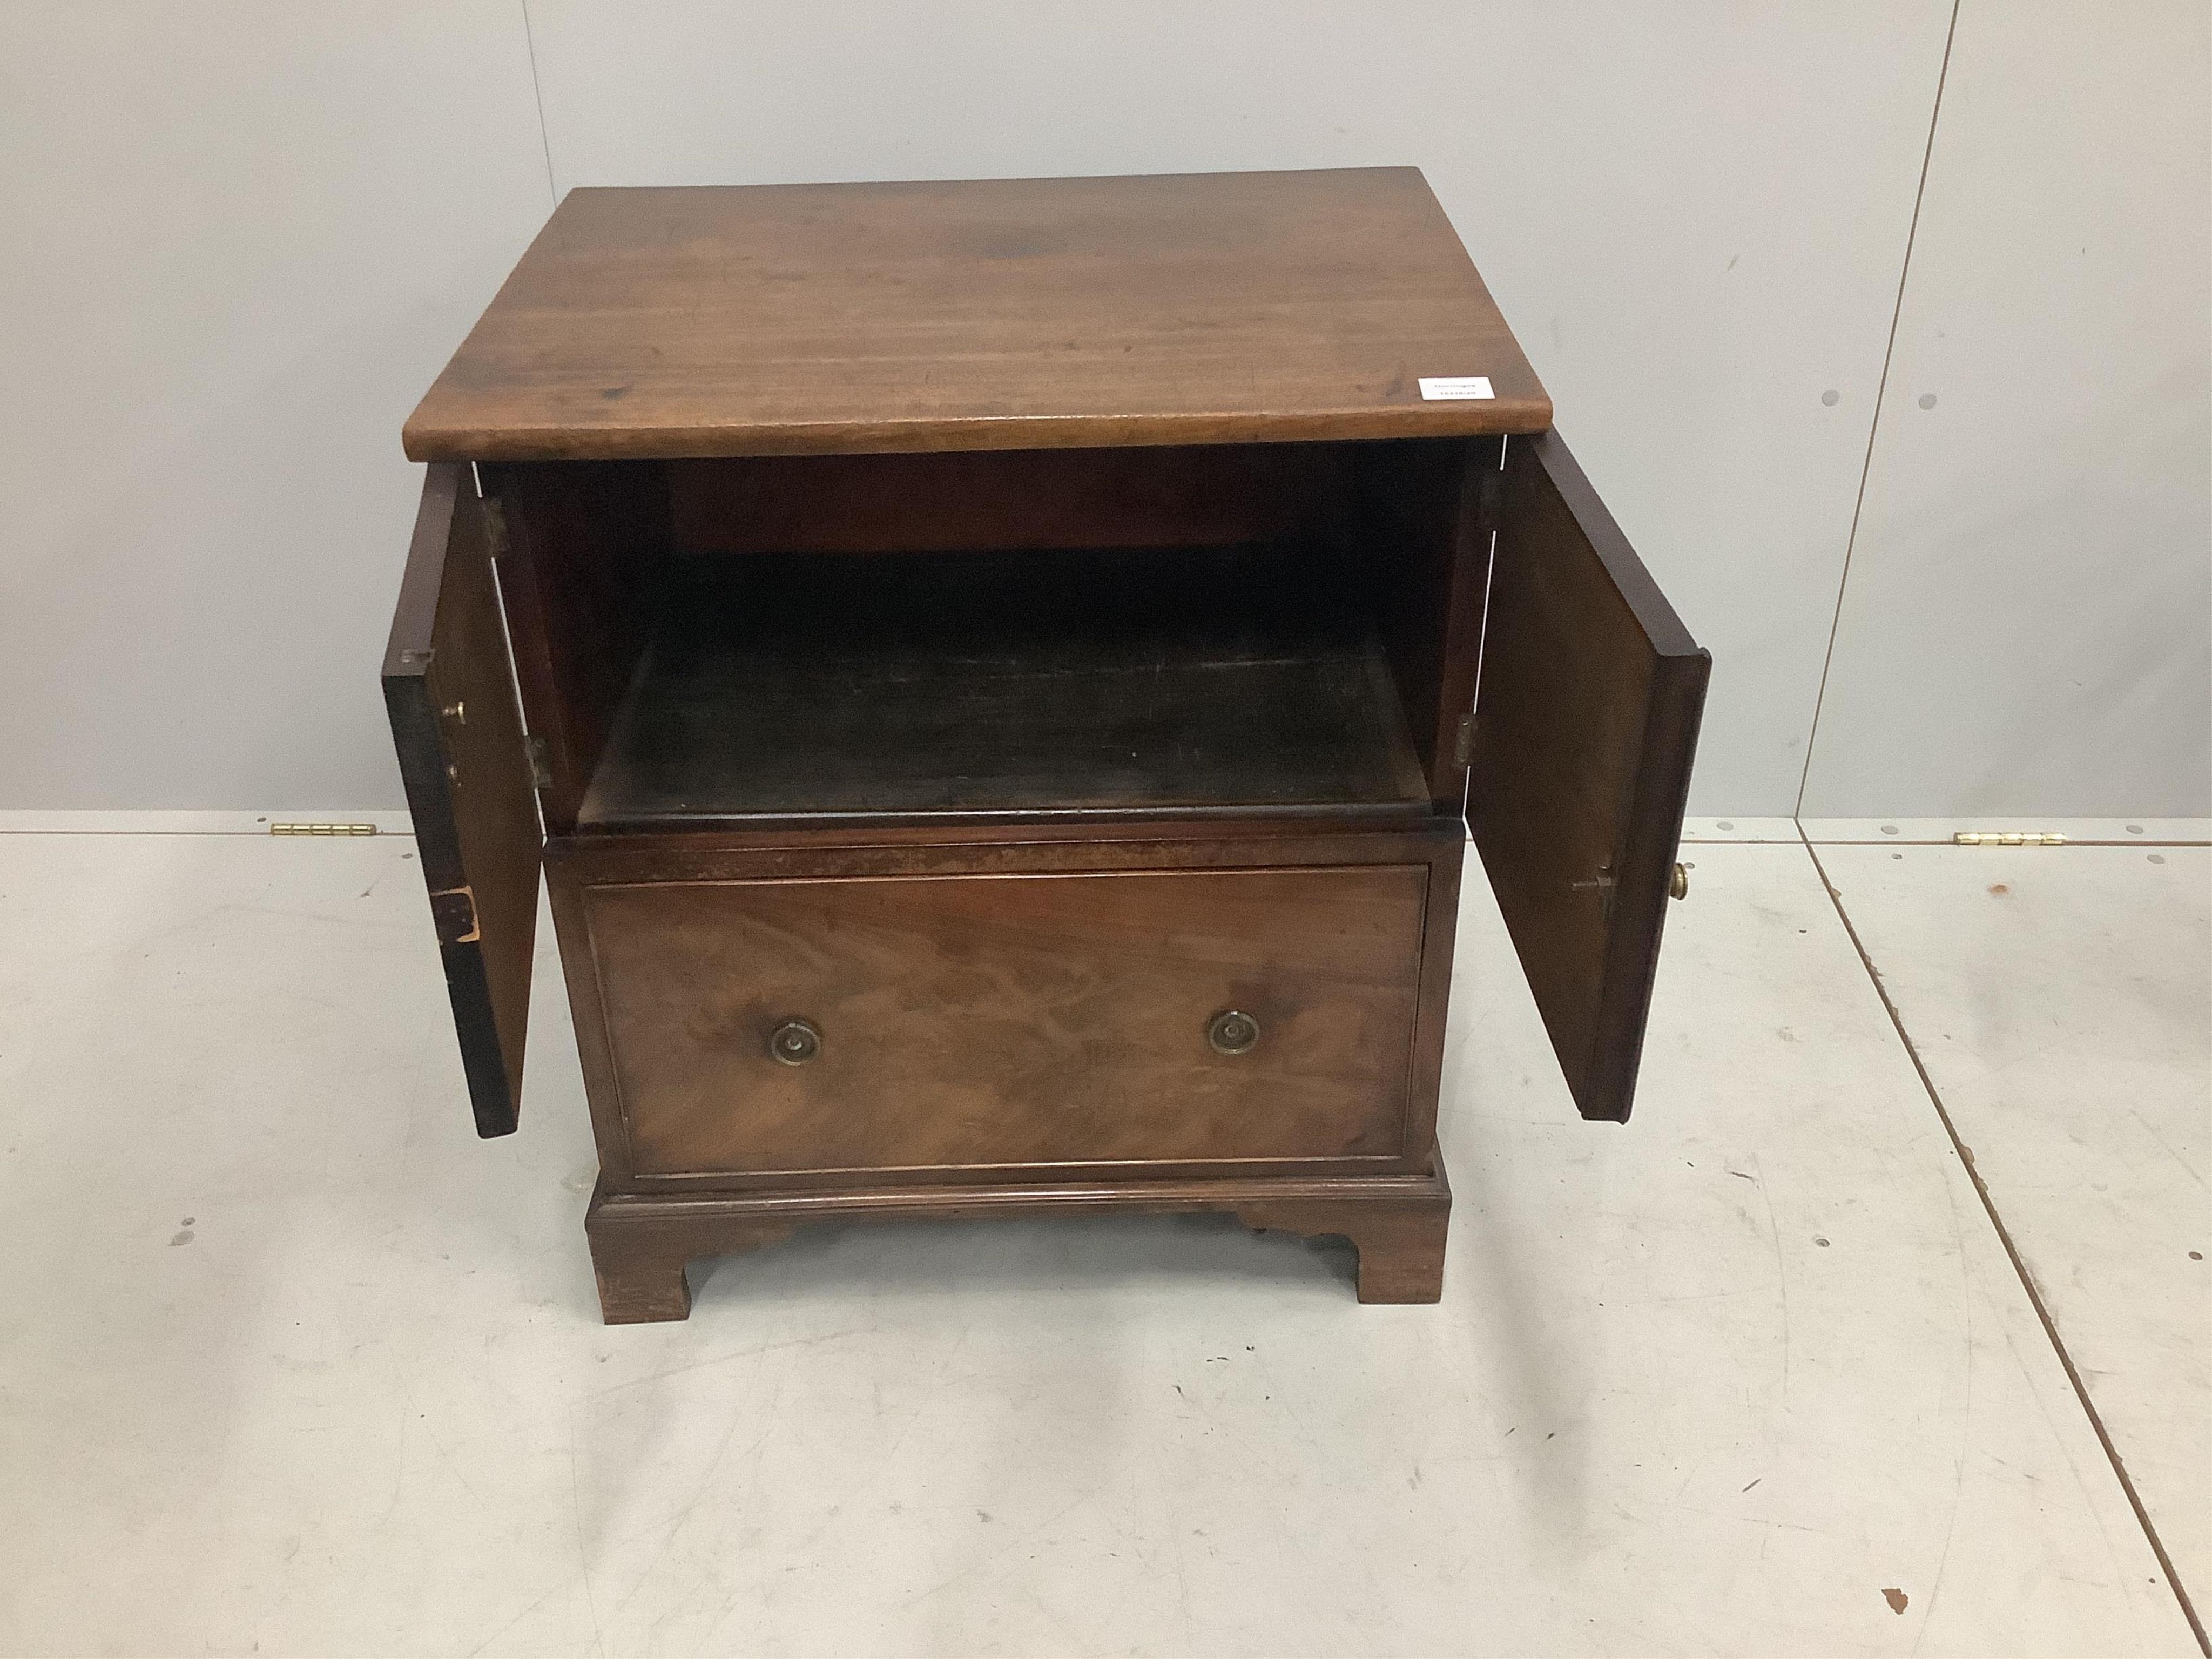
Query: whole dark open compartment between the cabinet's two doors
(1074,632)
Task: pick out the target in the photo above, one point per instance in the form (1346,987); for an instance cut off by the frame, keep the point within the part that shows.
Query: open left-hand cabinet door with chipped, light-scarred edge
(450,691)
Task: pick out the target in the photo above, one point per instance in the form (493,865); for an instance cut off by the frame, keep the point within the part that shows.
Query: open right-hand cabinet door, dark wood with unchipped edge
(1587,713)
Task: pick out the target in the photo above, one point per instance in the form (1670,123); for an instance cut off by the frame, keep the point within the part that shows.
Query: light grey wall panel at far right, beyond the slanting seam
(2027,627)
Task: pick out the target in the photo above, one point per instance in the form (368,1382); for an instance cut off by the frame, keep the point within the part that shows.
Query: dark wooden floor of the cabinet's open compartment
(1010,682)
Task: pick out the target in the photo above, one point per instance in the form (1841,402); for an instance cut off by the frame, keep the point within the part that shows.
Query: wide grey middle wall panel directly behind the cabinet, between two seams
(1693,218)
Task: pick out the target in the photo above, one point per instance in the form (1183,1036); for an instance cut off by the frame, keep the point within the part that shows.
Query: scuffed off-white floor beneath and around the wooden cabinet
(295,1366)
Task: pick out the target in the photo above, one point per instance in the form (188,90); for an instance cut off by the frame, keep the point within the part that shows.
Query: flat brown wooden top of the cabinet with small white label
(988,315)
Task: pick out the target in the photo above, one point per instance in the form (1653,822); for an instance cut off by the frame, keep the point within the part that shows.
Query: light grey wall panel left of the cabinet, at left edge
(240,242)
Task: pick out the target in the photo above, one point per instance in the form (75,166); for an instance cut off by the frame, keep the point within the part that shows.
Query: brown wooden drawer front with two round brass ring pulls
(1010,1021)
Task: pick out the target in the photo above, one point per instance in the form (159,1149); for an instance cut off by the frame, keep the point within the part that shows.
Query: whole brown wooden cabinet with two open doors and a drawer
(999,680)
